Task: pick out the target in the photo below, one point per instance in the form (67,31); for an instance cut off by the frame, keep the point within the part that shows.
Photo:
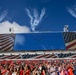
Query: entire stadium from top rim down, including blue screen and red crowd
(37,50)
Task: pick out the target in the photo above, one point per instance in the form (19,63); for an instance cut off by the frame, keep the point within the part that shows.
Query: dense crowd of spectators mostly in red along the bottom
(38,67)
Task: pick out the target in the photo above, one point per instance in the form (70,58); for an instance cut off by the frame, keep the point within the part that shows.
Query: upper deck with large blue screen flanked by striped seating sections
(38,41)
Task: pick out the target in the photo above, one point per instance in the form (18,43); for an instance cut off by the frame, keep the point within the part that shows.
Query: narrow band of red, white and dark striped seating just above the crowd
(38,56)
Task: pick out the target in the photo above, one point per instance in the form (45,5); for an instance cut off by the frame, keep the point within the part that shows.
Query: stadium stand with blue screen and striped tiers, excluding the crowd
(39,45)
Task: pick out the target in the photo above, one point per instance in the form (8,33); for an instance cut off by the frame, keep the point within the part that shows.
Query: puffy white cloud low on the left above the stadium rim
(4,27)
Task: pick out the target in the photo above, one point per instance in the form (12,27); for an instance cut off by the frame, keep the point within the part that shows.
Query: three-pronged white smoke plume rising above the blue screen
(35,18)
